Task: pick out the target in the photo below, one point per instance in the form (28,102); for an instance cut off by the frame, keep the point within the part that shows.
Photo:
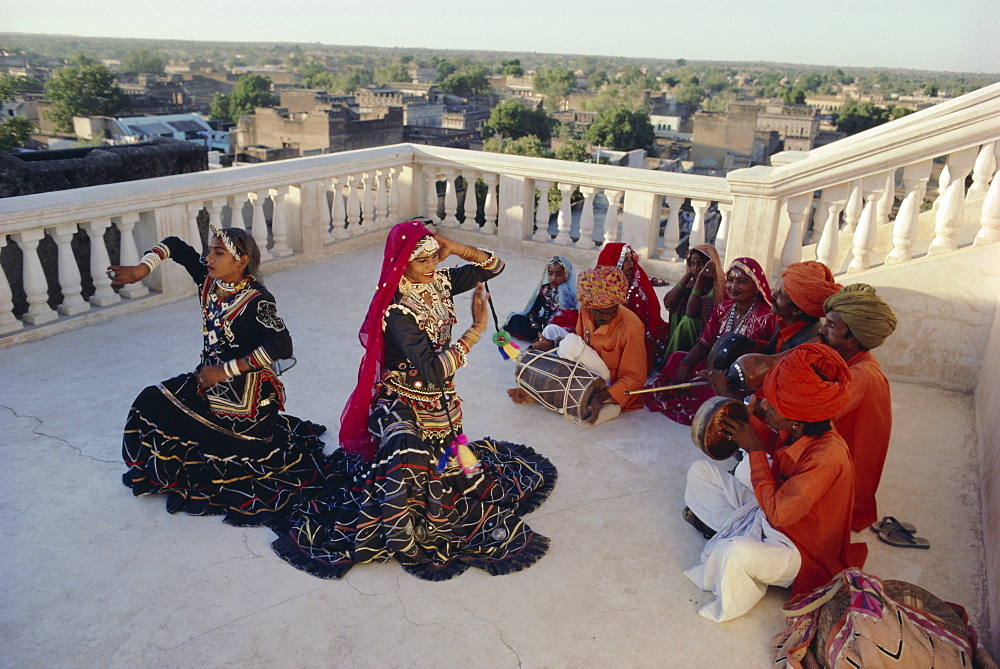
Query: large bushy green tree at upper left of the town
(83,90)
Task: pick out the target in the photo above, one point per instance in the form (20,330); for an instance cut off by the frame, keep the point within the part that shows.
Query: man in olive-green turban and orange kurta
(857,321)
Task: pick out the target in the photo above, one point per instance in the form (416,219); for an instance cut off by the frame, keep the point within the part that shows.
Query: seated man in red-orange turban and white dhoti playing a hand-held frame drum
(792,528)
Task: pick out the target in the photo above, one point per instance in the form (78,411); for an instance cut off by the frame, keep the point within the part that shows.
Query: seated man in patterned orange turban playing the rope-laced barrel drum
(614,333)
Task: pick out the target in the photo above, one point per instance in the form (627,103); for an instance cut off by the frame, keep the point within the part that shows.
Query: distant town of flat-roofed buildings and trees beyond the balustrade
(220,104)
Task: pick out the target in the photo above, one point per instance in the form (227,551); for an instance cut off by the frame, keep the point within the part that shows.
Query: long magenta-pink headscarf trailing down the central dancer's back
(354,435)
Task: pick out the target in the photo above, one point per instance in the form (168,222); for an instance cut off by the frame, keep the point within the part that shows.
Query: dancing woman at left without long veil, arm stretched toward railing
(214,440)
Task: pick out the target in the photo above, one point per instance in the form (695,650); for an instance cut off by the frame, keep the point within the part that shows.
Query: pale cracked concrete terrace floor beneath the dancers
(94,577)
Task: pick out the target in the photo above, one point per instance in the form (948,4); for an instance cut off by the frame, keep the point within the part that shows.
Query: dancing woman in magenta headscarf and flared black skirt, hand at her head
(414,488)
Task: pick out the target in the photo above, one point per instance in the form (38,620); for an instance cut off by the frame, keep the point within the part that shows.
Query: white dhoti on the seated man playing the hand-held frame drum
(746,555)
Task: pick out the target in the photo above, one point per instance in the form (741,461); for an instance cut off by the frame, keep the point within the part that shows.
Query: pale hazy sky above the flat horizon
(956,35)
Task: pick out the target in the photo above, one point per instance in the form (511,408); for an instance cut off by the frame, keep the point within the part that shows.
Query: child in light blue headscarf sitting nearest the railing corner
(552,301)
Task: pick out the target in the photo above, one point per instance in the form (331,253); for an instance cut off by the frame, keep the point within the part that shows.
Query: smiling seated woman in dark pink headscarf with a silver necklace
(746,311)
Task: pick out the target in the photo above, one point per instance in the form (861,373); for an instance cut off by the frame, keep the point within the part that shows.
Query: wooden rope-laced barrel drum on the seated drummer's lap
(565,386)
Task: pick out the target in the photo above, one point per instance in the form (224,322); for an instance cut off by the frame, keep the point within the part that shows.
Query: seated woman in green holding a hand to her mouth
(693,298)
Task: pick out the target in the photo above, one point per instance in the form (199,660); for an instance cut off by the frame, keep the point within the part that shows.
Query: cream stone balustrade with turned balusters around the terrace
(309,208)
